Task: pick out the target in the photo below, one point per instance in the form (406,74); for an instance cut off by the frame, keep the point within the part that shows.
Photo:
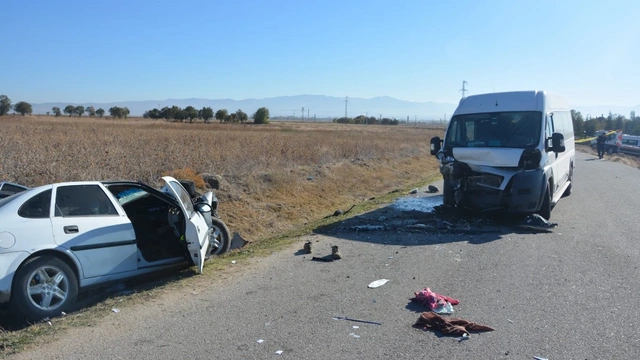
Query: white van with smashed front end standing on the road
(507,151)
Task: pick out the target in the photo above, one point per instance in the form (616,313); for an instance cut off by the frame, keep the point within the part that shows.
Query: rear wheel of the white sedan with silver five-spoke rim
(35,297)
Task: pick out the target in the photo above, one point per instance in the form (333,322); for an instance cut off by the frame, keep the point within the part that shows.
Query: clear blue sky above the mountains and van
(119,50)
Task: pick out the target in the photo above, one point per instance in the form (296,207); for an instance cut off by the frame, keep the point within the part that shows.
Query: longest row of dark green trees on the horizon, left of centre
(176,113)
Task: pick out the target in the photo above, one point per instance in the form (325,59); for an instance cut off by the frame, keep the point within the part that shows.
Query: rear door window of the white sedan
(83,200)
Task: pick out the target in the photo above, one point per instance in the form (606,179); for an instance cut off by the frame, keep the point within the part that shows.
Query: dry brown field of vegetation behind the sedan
(275,176)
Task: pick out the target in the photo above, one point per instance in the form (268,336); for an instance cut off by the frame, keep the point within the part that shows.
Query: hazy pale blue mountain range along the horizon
(319,106)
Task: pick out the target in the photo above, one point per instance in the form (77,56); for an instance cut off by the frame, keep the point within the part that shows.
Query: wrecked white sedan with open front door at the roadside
(57,239)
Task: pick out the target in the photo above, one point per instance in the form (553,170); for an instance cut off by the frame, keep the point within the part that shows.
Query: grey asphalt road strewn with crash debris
(569,294)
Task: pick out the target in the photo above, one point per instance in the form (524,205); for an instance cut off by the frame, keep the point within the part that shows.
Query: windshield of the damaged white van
(499,129)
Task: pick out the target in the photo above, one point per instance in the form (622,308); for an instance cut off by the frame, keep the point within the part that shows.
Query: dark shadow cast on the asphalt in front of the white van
(424,216)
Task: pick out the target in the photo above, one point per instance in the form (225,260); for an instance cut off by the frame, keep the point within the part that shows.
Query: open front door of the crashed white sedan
(196,229)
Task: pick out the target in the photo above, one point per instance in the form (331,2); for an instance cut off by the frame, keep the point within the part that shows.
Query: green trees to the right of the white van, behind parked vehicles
(589,126)
